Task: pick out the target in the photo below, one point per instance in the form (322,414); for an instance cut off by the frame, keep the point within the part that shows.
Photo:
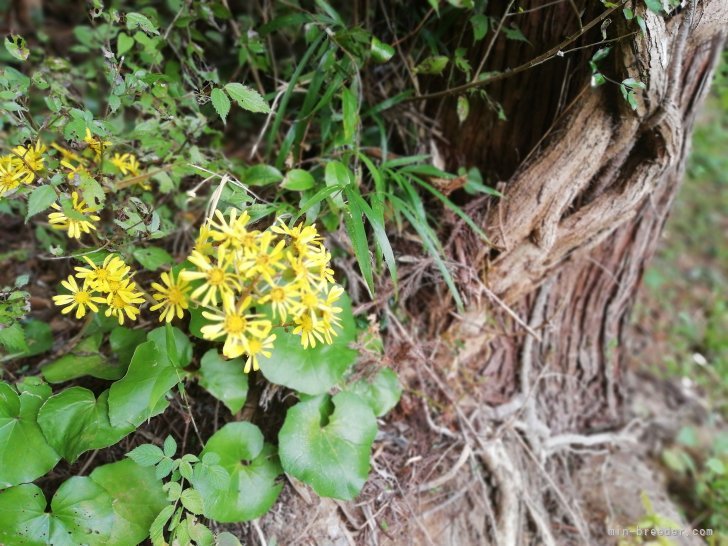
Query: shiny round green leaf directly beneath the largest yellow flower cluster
(313,370)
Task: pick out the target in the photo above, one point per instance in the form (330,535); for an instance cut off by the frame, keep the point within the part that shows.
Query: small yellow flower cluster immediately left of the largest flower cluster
(109,284)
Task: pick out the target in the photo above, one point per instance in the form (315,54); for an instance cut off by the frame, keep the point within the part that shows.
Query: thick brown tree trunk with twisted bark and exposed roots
(533,369)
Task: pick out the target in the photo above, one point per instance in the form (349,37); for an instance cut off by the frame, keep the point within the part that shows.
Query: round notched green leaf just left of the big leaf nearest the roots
(253,468)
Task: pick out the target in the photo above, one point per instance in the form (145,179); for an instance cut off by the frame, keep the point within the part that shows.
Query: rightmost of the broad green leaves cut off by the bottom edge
(138,498)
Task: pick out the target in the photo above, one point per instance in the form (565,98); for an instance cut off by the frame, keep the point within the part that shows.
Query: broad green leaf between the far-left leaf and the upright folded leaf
(73,422)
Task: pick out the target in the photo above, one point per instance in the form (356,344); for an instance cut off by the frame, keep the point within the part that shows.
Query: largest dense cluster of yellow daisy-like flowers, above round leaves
(248,281)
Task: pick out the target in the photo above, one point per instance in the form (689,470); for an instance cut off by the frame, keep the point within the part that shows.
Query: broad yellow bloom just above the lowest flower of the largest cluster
(237,326)
